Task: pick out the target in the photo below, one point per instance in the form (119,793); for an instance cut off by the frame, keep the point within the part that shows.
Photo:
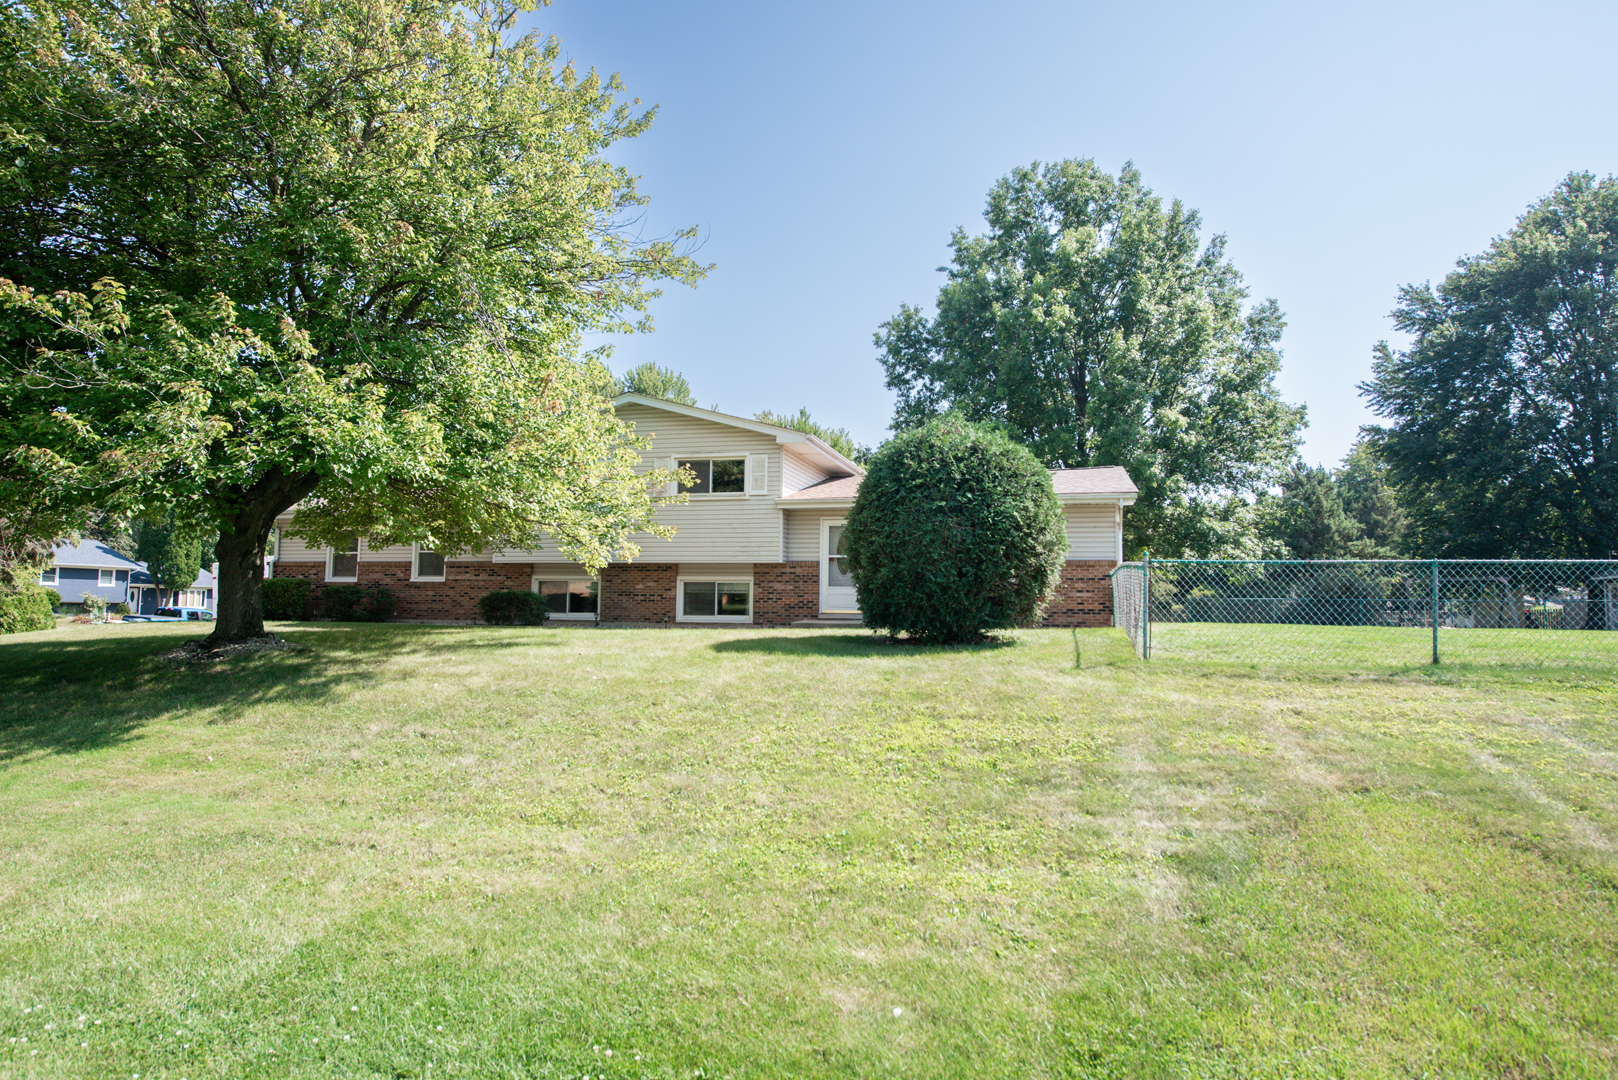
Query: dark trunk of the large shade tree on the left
(239,610)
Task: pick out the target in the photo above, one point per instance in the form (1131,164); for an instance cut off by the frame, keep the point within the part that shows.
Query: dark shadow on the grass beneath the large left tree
(75,694)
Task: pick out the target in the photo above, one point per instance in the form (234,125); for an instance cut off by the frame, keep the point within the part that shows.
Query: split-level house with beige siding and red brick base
(755,545)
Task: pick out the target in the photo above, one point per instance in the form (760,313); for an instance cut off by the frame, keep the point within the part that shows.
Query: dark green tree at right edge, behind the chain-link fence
(1504,412)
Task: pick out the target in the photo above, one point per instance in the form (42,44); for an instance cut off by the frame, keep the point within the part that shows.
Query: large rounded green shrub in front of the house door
(957,530)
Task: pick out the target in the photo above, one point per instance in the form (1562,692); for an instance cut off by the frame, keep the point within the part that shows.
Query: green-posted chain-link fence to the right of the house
(1512,611)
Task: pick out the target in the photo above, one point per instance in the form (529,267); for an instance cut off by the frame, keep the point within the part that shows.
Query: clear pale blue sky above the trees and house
(829,150)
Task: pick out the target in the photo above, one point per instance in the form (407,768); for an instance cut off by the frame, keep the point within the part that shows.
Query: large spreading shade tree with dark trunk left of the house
(323,253)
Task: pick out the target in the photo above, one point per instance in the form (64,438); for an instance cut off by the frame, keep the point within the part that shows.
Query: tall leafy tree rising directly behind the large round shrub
(1098,330)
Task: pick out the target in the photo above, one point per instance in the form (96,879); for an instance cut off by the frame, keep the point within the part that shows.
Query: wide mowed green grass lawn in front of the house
(439,853)
